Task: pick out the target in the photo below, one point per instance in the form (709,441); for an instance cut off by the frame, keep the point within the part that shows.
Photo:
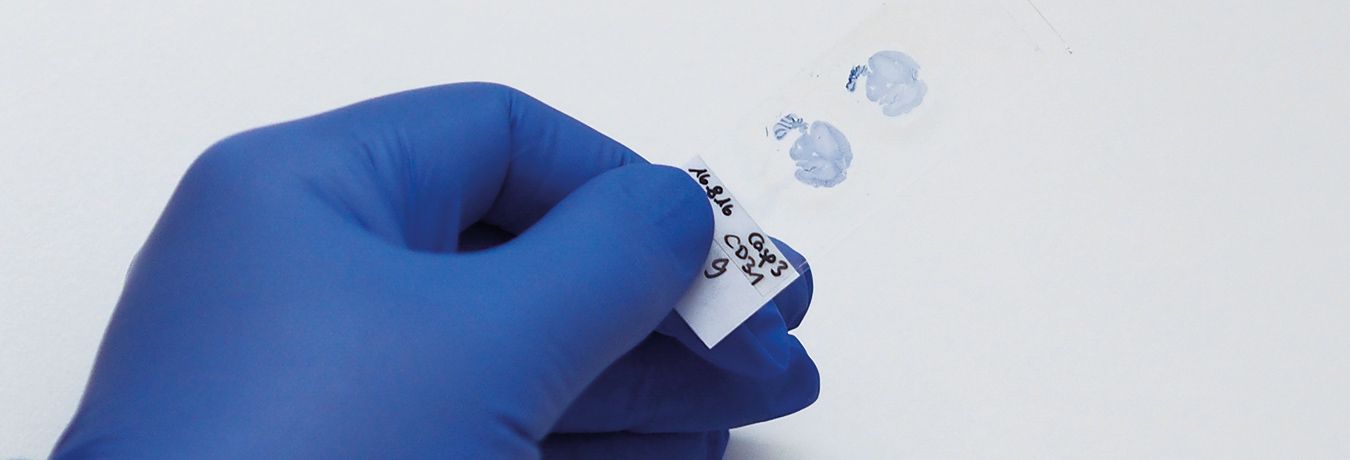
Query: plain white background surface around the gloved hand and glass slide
(1155,269)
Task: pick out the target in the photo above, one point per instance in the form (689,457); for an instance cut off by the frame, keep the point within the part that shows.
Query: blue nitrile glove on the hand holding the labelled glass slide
(352,285)
